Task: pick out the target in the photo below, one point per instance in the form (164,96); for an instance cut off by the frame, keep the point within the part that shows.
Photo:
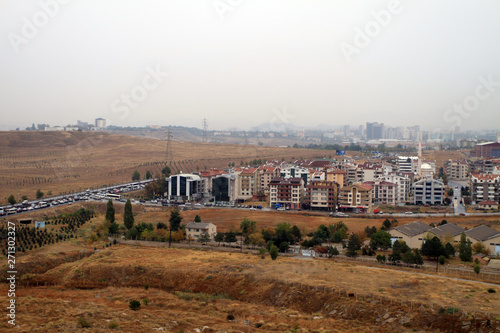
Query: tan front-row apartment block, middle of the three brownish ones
(322,194)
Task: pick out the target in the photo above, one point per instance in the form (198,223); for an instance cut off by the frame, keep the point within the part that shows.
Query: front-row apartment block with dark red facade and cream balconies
(286,192)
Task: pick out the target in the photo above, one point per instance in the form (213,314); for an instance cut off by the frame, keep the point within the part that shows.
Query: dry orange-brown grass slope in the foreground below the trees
(189,289)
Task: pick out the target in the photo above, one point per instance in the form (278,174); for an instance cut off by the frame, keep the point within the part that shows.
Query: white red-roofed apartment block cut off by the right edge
(484,187)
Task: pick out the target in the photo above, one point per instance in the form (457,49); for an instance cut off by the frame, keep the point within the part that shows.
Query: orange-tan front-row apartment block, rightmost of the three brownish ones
(356,197)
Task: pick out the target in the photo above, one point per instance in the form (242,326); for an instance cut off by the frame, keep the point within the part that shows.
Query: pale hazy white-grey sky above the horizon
(251,62)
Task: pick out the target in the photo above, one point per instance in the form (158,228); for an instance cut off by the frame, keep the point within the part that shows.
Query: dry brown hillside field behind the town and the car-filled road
(64,162)
